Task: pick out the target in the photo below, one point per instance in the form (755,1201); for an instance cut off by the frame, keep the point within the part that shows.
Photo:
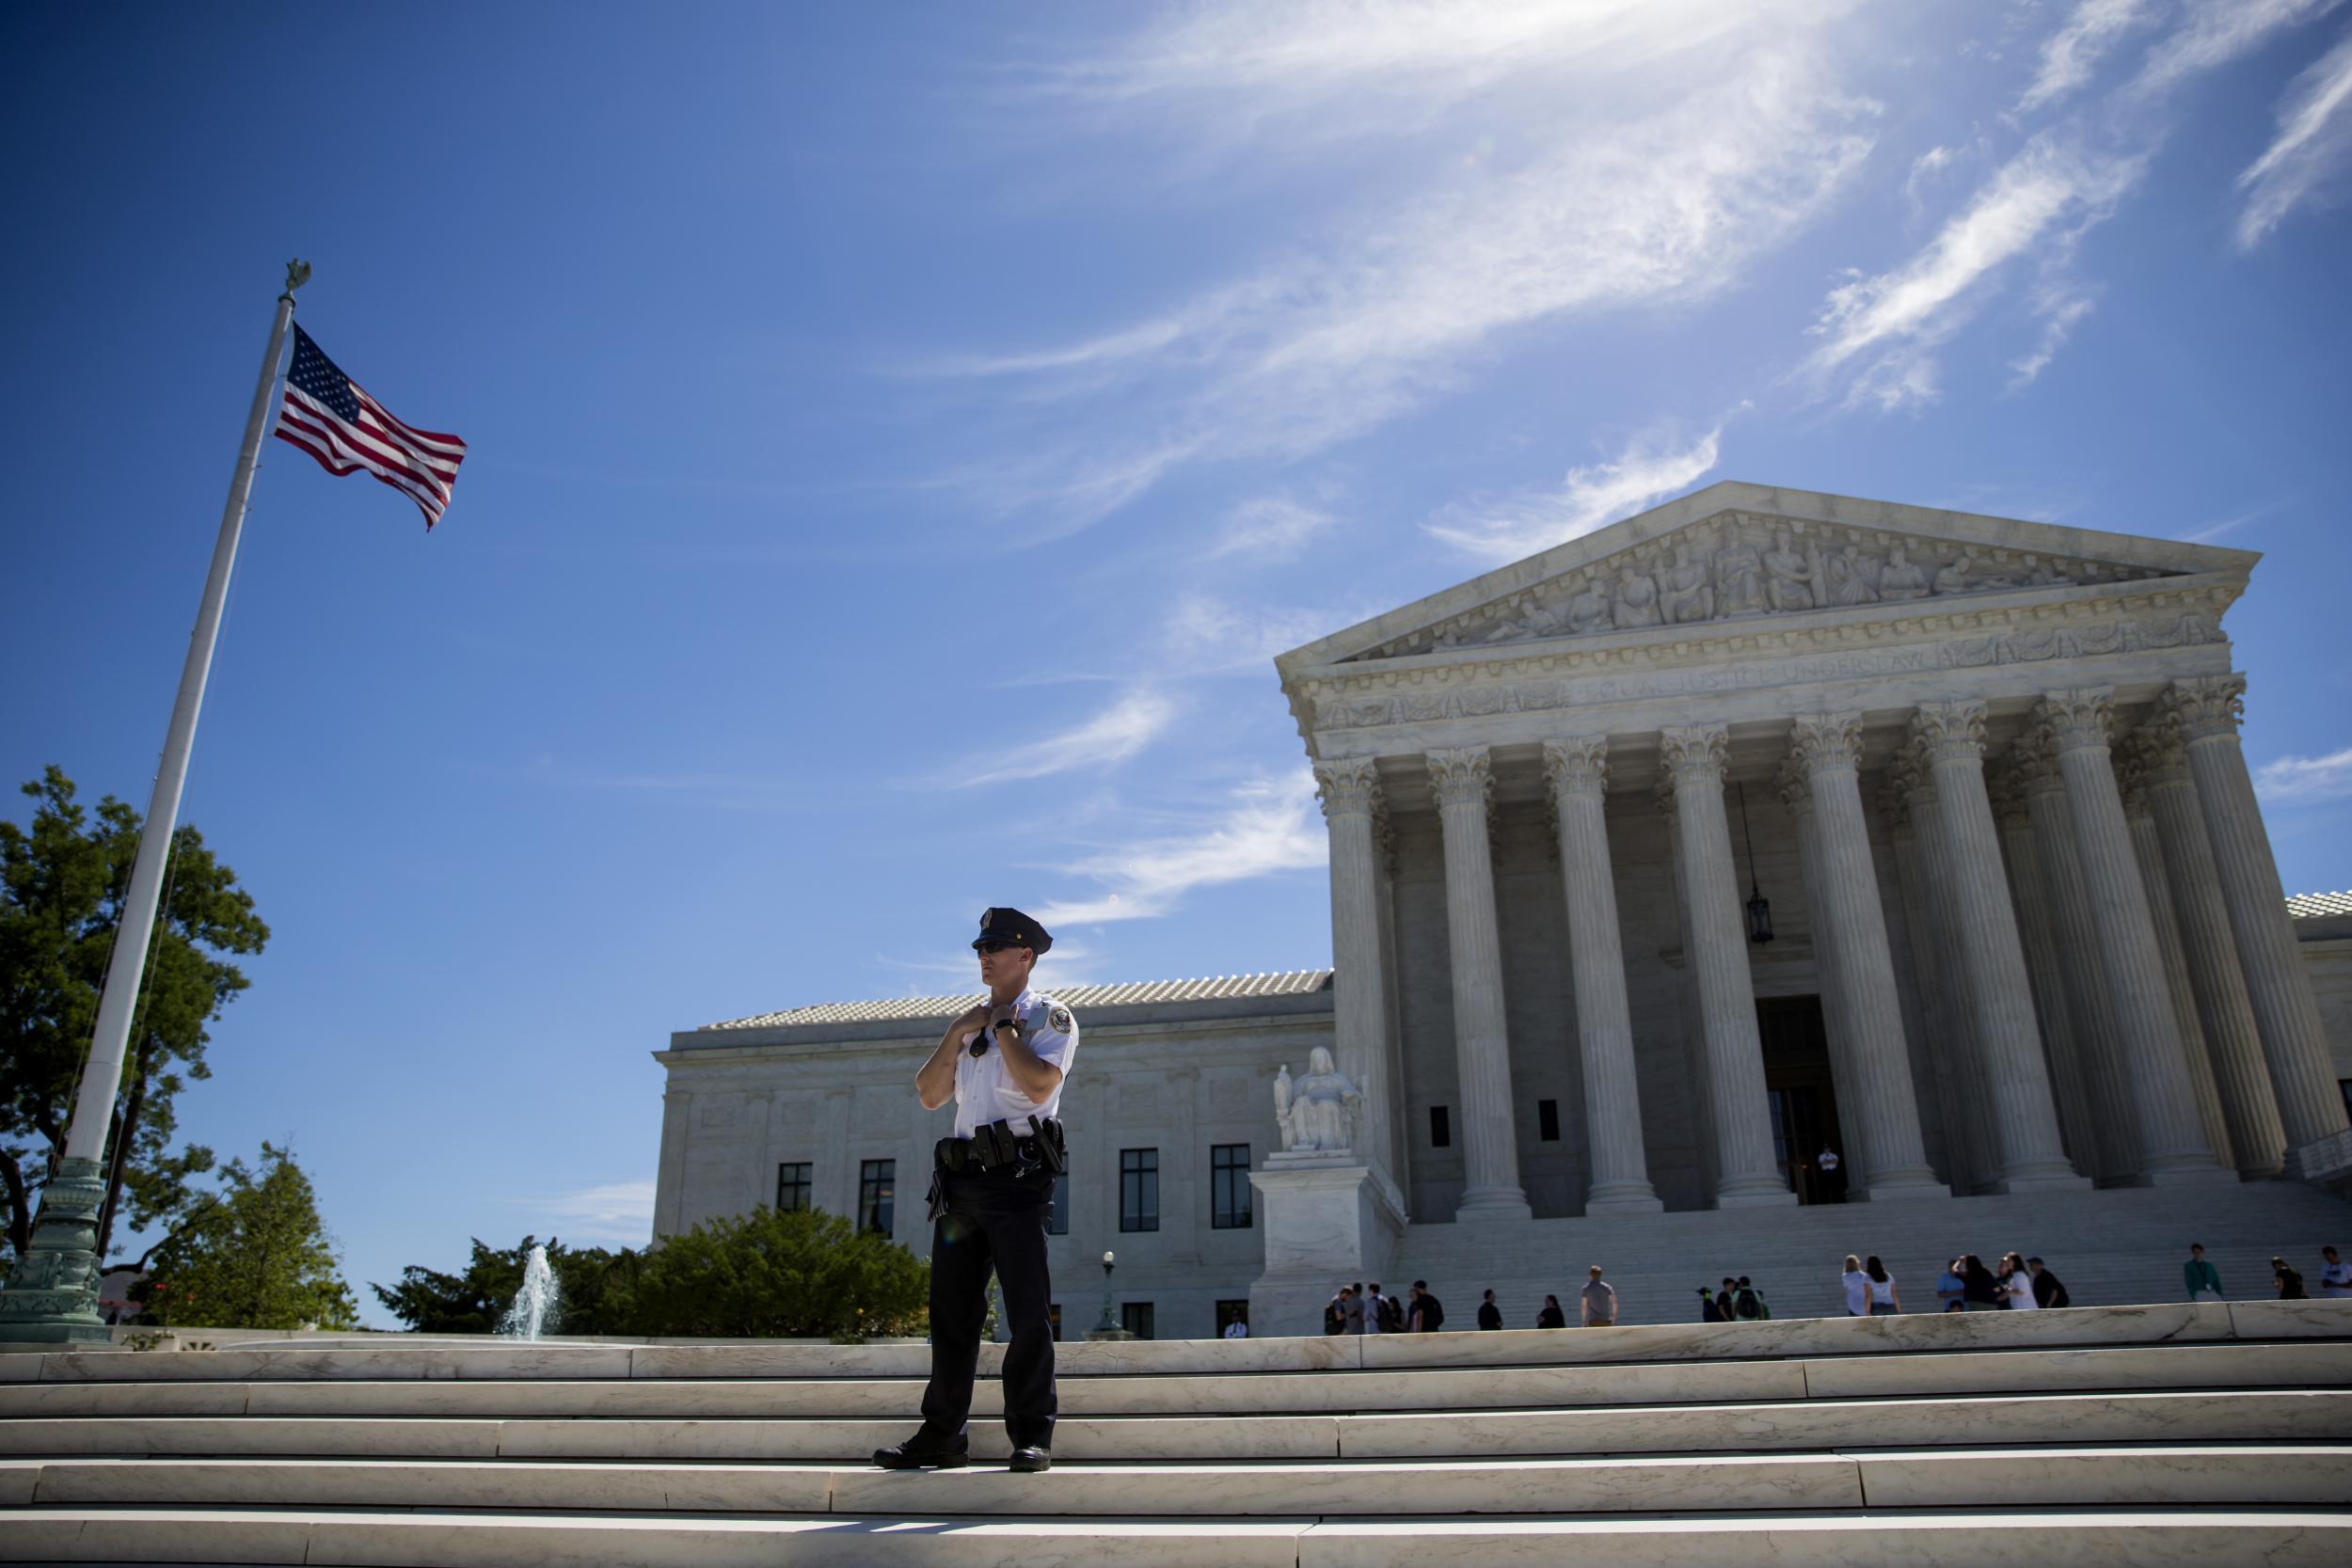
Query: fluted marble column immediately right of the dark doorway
(1829,751)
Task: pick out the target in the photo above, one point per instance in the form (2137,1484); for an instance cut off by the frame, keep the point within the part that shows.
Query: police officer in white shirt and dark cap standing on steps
(994,1198)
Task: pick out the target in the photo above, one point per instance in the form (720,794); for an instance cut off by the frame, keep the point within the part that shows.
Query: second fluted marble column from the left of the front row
(1481,1040)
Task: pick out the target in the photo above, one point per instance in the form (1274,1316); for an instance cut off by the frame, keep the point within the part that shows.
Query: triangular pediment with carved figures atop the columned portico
(1744,554)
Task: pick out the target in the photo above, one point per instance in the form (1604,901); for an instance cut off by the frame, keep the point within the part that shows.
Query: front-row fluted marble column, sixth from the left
(2000,991)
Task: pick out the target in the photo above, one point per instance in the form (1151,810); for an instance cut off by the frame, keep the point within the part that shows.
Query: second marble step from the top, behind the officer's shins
(2153,1367)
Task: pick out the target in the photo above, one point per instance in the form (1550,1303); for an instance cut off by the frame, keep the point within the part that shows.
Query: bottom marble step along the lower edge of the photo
(1925,1539)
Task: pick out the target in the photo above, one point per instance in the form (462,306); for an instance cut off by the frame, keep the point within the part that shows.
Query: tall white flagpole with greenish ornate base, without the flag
(53,1292)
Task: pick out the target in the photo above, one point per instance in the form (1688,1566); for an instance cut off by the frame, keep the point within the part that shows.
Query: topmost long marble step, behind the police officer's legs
(493,1360)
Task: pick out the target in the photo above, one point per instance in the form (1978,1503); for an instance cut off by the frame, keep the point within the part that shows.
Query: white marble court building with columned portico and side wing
(1662,862)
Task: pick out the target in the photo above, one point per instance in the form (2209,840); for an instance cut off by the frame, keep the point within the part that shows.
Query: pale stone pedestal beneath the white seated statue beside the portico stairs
(1328,1221)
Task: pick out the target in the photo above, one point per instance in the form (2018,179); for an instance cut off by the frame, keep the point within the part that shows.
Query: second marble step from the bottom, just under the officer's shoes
(1993,1477)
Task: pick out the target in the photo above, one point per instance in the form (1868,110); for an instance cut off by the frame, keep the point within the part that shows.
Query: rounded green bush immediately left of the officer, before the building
(777,1275)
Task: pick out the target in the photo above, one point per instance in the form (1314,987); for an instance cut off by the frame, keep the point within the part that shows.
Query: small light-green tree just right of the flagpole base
(258,1257)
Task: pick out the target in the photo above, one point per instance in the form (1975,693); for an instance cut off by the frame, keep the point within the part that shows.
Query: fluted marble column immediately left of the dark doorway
(1746,1174)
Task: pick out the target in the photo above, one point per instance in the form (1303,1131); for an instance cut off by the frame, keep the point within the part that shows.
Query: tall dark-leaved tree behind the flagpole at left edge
(62,887)
